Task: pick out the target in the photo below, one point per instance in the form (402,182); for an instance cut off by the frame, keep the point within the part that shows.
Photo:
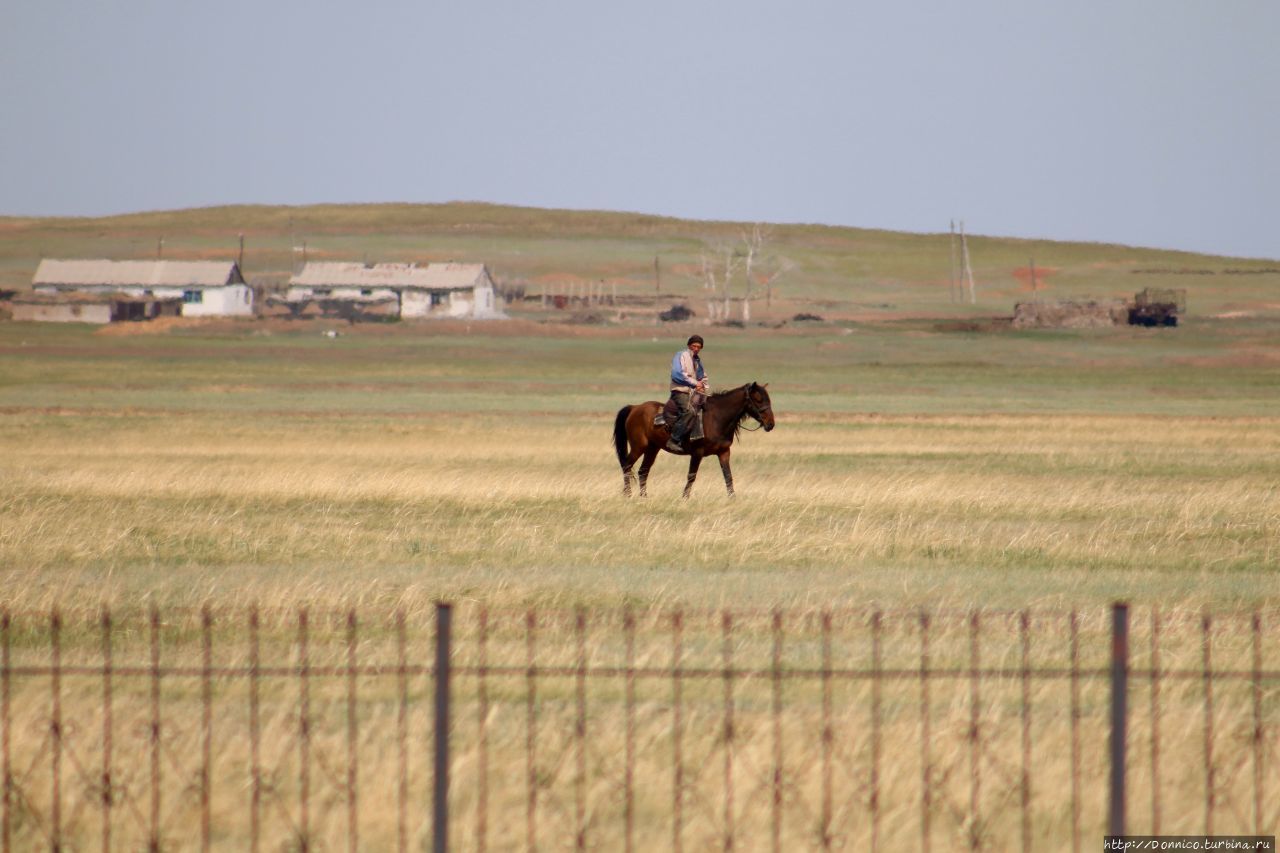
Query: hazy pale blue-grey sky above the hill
(1139,122)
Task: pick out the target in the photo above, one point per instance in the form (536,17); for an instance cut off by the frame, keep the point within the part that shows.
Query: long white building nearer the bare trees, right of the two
(431,291)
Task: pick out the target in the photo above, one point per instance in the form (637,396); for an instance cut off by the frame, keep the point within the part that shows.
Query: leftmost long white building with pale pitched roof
(207,289)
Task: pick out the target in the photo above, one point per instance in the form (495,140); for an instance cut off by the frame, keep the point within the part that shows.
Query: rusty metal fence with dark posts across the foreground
(483,729)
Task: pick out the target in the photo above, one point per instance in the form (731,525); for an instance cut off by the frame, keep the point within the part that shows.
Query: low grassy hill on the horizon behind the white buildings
(836,271)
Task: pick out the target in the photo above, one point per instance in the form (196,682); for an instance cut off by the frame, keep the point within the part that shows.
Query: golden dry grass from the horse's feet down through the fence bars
(947,514)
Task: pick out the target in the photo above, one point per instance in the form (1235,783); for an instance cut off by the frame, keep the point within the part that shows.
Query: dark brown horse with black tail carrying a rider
(636,434)
